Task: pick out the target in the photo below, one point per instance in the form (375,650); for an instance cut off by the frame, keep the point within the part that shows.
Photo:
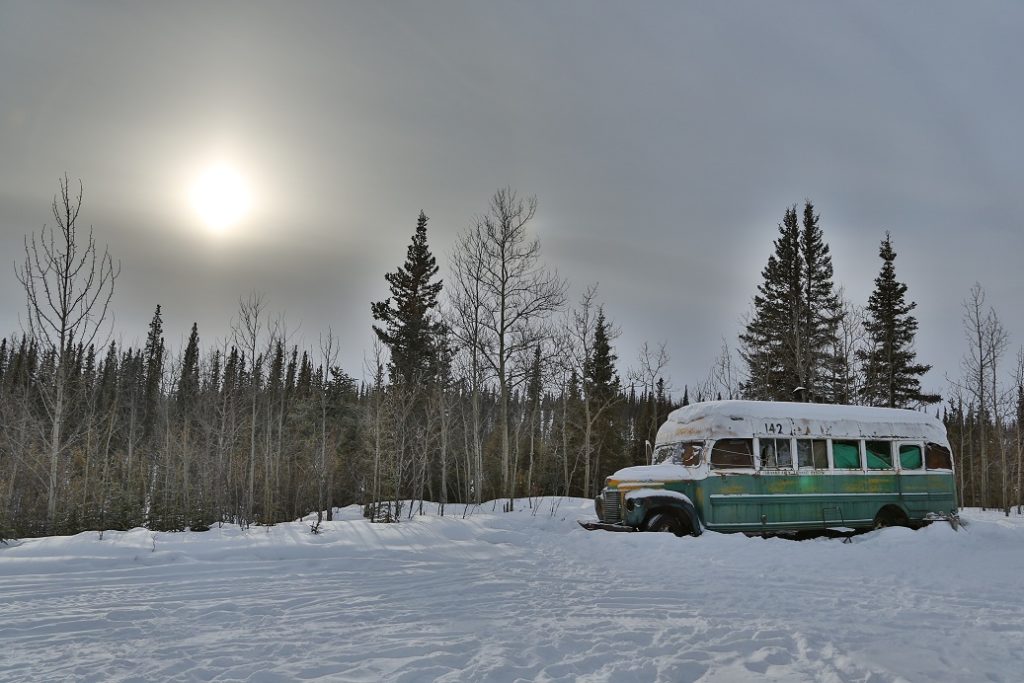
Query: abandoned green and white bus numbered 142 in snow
(771,467)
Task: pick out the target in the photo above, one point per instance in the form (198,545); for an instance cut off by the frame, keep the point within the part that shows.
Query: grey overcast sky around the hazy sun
(664,141)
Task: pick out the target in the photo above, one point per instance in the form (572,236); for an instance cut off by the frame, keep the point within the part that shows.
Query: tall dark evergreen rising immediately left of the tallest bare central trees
(409,329)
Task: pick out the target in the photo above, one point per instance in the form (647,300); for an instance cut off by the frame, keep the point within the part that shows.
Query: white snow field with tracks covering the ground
(523,596)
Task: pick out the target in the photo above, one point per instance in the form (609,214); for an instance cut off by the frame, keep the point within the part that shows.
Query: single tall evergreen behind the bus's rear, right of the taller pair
(892,374)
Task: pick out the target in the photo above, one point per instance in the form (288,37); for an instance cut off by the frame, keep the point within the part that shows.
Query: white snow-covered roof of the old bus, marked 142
(743,419)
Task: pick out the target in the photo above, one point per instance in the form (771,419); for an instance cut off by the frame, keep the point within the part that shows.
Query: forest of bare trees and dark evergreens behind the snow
(487,383)
